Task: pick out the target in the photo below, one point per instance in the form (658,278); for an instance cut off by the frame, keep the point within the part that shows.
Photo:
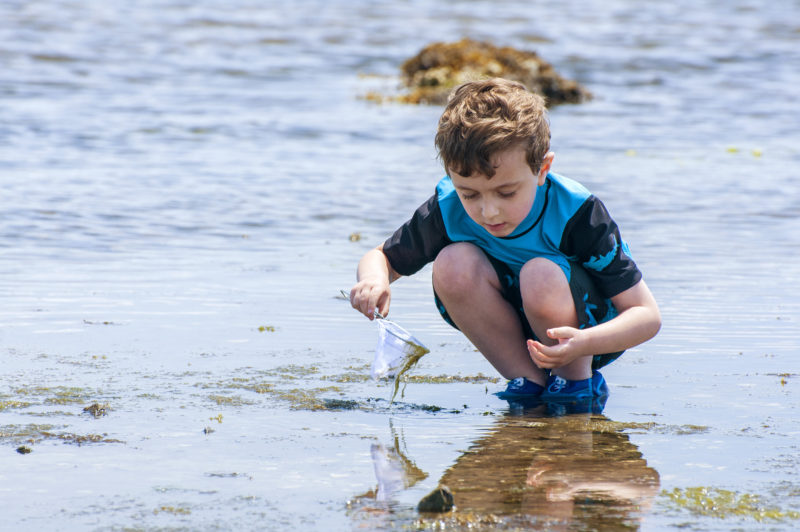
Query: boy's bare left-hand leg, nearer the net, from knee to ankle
(468,286)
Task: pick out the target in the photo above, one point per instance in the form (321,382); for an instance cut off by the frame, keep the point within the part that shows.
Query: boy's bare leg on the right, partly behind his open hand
(548,303)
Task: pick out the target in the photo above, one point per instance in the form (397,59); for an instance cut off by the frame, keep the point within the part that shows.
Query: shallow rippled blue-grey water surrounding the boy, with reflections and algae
(186,186)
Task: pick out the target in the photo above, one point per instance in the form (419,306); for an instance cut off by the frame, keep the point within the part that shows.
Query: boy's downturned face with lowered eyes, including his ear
(501,203)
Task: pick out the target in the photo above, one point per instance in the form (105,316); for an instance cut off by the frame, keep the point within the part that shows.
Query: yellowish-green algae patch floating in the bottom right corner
(725,504)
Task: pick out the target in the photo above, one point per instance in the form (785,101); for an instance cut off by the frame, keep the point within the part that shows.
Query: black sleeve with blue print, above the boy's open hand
(593,239)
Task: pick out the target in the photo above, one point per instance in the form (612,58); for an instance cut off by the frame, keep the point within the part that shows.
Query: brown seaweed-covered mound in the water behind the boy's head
(431,75)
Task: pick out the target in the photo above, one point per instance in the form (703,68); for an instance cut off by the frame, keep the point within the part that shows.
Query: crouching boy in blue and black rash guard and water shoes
(526,263)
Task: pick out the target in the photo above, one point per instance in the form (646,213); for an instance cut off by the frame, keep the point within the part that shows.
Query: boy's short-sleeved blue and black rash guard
(566,224)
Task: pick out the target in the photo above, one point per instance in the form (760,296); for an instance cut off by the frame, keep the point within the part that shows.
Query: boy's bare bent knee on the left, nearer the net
(457,268)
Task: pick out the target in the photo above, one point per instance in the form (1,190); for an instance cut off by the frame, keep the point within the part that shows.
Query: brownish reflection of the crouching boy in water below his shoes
(565,470)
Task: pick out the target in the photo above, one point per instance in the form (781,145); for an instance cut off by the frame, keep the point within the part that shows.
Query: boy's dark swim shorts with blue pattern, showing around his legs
(590,305)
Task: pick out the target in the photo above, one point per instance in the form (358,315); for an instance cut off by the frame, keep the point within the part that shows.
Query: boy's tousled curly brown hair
(485,117)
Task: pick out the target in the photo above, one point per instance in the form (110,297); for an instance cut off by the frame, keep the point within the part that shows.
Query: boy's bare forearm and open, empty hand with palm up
(638,320)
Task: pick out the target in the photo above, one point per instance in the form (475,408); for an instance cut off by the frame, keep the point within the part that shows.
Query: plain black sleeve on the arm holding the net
(419,240)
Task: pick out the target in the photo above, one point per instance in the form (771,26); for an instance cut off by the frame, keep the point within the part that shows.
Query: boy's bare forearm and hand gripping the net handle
(371,290)
